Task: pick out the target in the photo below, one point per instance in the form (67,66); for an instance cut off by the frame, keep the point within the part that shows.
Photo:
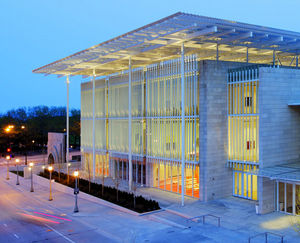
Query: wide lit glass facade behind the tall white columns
(156,137)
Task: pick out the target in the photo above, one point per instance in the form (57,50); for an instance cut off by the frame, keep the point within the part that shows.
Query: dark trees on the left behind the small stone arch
(37,122)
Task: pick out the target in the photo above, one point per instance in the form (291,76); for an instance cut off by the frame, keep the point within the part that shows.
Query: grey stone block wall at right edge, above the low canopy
(279,124)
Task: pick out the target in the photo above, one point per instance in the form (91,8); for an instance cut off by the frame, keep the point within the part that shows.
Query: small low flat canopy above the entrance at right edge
(288,172)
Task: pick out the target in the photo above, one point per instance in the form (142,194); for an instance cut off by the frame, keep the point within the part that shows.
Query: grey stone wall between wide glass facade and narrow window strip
(215,177)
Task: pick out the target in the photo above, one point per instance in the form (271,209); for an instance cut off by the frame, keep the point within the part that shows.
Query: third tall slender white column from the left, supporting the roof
(129,127)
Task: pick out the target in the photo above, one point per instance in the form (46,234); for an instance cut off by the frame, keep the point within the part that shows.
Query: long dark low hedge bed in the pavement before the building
(110,193)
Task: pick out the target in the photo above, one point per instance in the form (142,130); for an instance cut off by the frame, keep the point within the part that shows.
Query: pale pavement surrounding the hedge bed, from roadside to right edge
(238,218)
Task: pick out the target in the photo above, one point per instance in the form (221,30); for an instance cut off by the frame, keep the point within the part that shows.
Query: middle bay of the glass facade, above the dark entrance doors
(118,124)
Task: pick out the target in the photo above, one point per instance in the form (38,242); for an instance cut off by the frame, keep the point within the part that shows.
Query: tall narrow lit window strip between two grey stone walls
(243,121)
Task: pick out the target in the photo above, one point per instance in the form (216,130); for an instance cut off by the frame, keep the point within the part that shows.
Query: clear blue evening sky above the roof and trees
(36,32)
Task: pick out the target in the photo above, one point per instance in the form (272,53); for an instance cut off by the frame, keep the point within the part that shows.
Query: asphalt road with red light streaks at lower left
(25,219)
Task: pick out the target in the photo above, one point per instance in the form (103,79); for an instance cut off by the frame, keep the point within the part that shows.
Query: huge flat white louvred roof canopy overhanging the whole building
(162,40)
